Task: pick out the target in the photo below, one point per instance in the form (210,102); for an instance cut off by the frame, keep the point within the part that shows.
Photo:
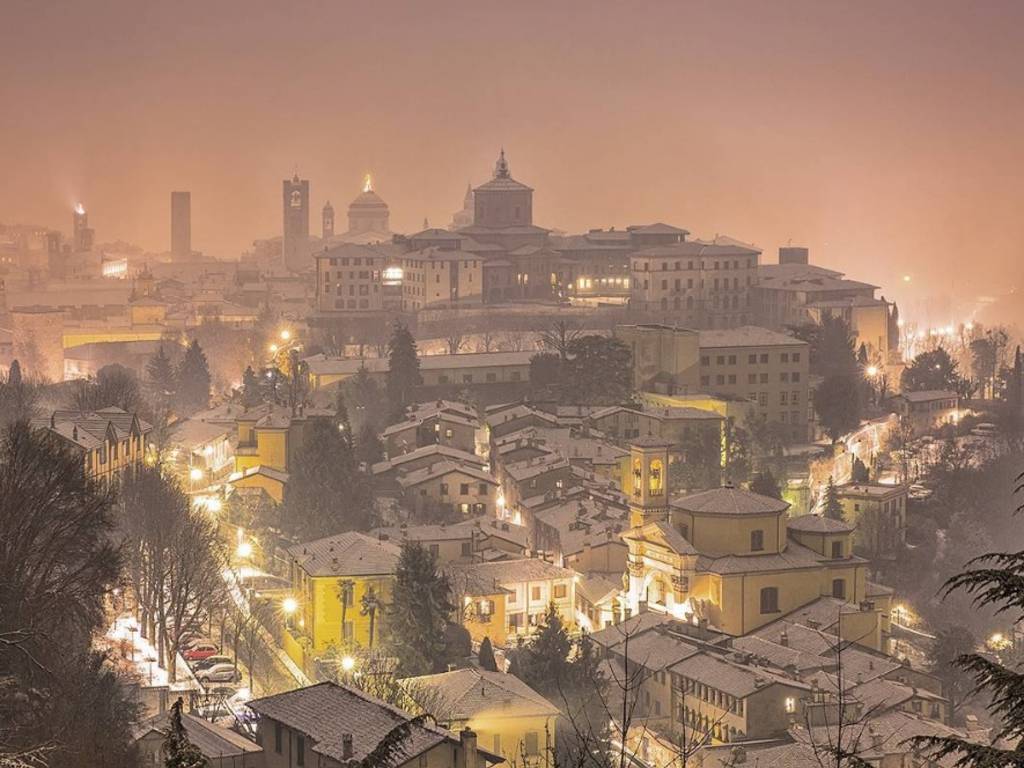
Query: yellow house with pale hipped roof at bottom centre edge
(509,718)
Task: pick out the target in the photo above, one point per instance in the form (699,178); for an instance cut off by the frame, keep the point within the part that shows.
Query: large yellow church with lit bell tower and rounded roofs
(734,560)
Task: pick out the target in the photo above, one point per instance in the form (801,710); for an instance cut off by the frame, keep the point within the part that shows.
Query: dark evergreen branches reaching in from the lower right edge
(995,582)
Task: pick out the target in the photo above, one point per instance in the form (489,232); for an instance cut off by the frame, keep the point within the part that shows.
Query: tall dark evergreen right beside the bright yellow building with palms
(419,613)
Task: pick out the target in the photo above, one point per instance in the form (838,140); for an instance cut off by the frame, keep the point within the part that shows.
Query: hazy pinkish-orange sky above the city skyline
(885,136)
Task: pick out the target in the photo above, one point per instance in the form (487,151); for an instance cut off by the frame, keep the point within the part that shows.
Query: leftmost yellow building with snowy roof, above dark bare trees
(111,441)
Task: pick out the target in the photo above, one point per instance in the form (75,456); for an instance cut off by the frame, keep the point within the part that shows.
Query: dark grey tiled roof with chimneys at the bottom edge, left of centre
(327,713)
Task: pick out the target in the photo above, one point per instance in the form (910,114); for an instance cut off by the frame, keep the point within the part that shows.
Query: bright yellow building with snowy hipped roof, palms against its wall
(340,586)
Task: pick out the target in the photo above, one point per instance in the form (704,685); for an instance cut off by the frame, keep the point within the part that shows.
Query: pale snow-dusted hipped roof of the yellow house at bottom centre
(475,693)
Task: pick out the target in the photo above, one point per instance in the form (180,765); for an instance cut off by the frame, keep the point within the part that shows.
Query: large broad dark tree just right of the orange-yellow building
(327,494)
